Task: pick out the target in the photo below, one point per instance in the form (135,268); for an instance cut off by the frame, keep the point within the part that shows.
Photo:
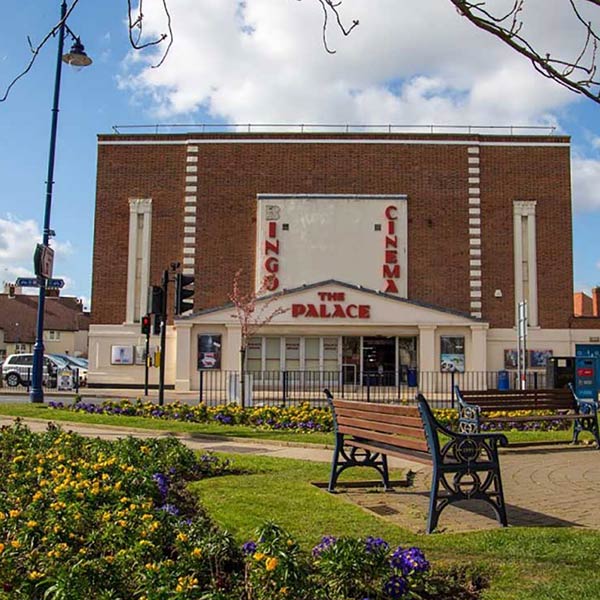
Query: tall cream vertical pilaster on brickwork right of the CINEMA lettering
(525,258)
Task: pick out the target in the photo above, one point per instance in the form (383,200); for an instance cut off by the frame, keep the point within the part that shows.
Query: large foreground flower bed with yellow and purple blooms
(88,518)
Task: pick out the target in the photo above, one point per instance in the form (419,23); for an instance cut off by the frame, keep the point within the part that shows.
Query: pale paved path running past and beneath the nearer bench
(556,486)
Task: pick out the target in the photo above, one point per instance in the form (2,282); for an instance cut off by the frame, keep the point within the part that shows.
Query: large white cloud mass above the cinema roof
(263,61)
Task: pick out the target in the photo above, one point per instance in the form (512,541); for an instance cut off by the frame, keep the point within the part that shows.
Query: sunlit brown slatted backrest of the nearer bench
(393,425)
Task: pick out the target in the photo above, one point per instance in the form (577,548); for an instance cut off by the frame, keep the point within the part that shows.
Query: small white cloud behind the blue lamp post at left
(17,244)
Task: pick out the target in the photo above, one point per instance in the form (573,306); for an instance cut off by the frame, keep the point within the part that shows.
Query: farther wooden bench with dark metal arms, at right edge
(476,407)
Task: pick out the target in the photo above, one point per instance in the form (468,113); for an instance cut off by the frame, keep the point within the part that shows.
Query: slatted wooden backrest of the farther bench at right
(502,400)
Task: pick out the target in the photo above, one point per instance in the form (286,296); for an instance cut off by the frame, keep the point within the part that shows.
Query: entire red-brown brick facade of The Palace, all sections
(434,177)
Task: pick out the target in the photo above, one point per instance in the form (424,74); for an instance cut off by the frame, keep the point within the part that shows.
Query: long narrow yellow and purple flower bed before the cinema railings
(302,418)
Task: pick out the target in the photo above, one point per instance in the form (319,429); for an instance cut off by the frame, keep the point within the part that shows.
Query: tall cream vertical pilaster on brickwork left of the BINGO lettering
(138,265)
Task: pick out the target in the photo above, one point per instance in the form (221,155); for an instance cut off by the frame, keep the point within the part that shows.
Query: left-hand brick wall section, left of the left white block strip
(124,173)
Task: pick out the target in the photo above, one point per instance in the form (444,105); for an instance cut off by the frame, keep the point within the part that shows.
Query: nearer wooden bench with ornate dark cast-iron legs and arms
(465,466)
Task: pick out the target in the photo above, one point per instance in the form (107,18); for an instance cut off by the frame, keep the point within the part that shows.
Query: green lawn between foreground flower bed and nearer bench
(527,563)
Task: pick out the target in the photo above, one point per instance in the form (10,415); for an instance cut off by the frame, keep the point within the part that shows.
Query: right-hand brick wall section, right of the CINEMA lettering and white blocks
(520,173)
